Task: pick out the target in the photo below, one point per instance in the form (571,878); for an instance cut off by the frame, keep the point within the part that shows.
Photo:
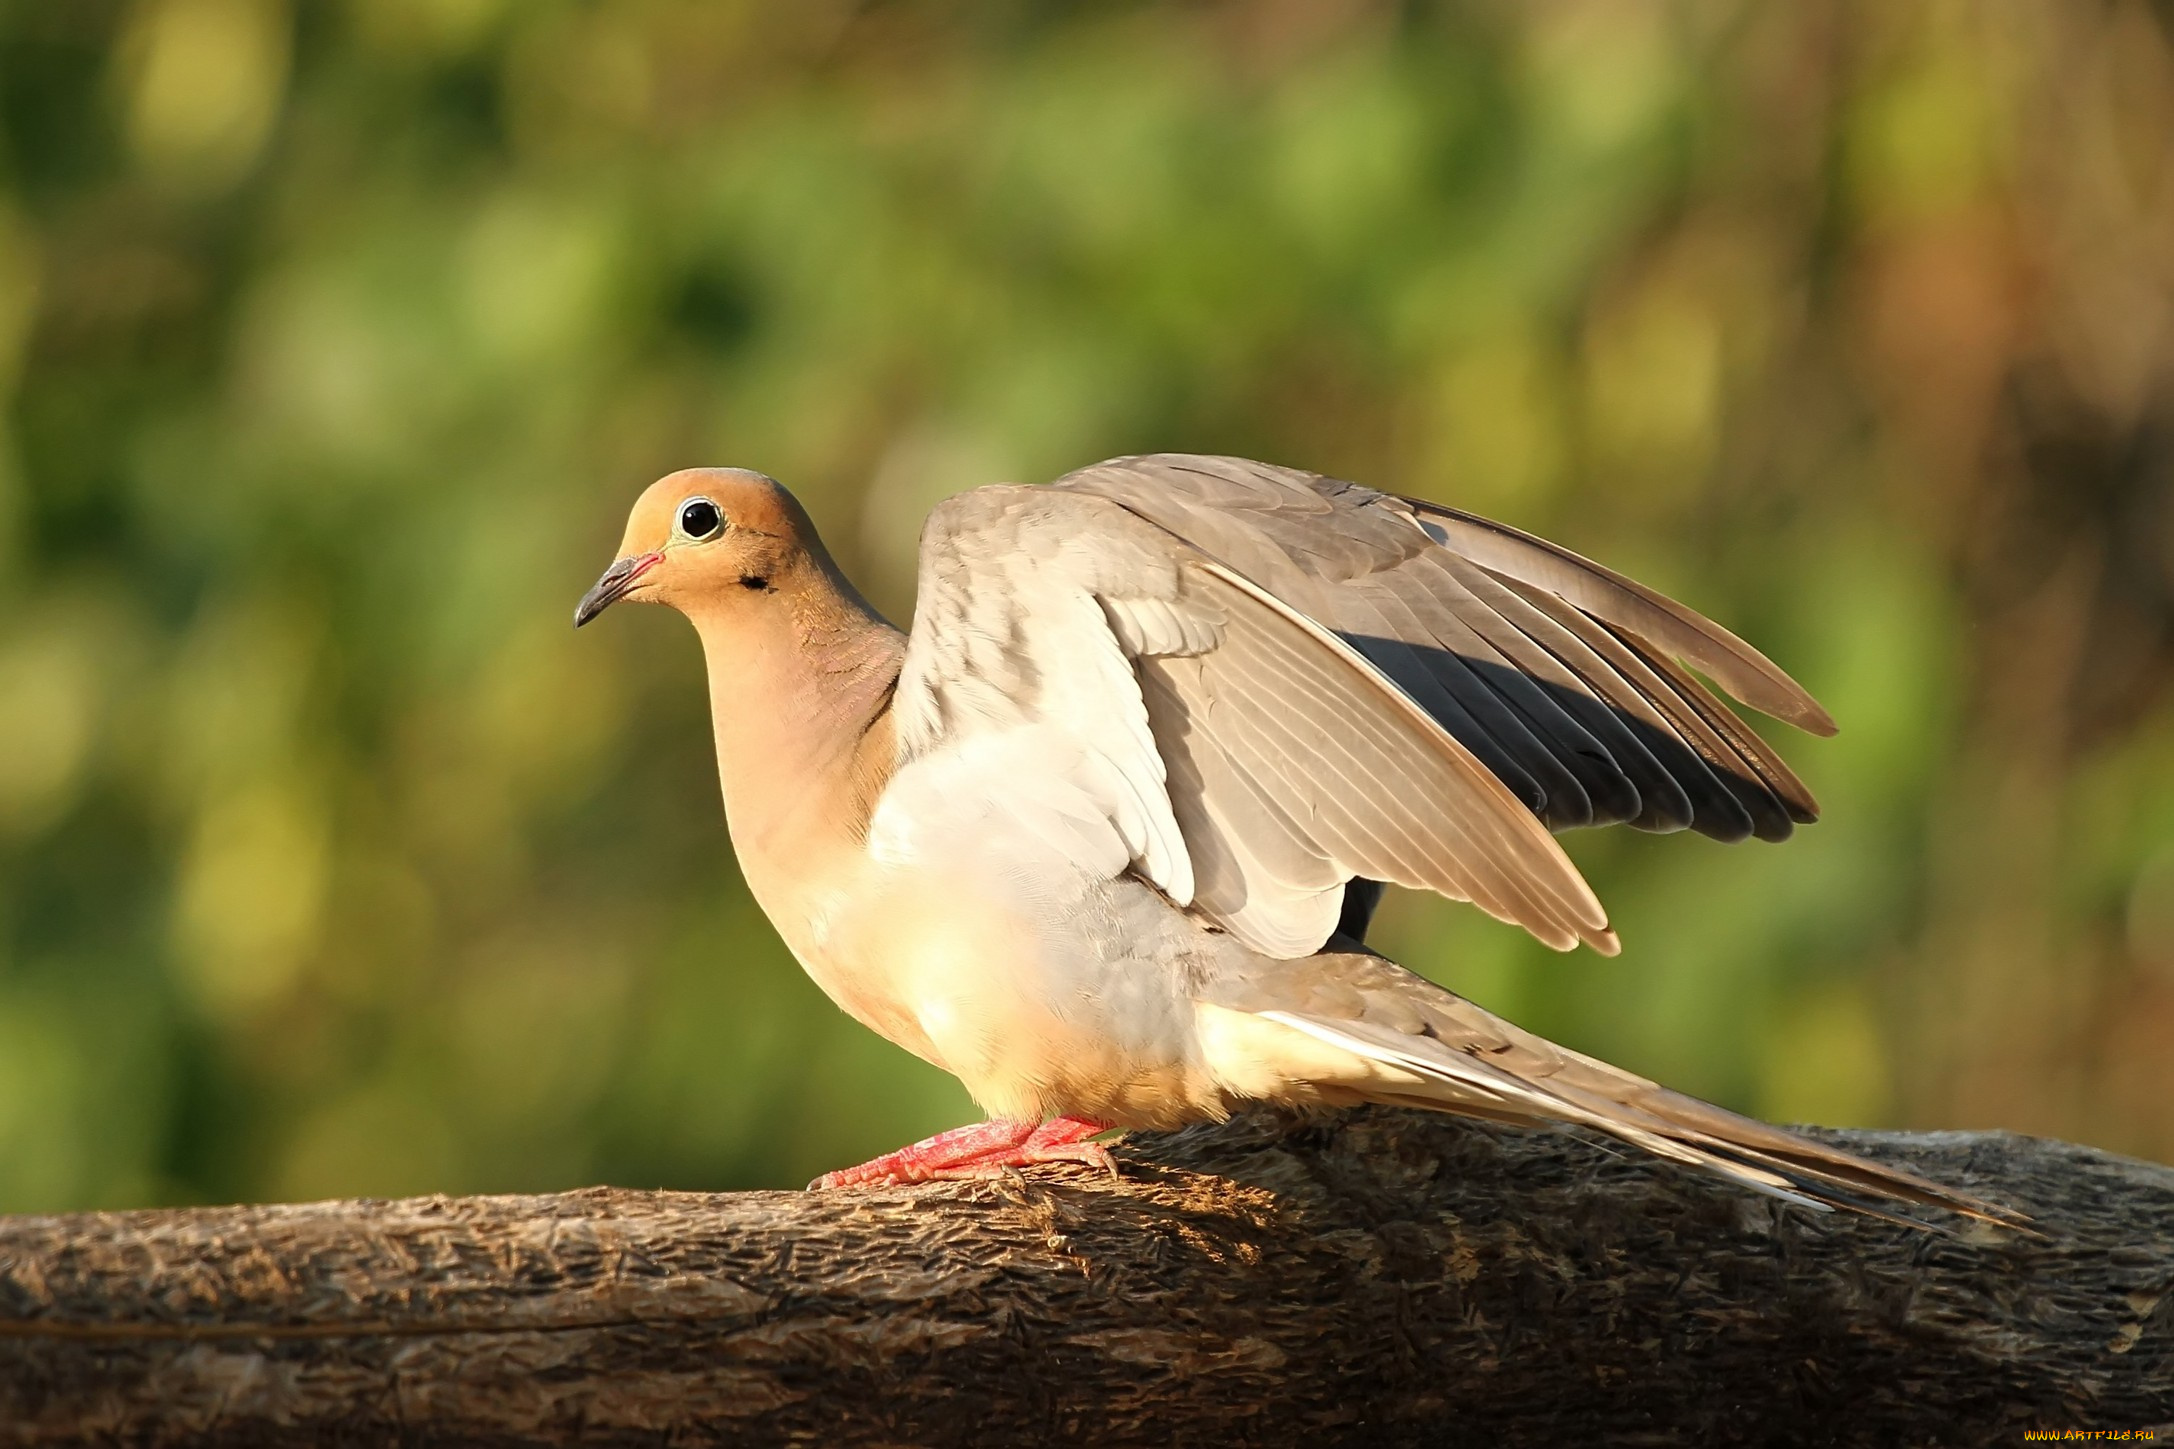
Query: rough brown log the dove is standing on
(1369,1278)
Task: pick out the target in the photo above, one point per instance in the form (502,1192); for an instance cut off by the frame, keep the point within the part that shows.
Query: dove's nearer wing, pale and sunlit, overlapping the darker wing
(1142,705)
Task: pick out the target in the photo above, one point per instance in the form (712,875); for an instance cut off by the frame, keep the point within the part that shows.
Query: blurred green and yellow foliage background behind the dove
(338,338)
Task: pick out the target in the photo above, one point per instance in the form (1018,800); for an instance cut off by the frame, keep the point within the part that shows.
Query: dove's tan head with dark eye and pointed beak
(705,540)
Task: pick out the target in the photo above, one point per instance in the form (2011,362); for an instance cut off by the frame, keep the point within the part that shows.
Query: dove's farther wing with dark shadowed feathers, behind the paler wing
(1566,679)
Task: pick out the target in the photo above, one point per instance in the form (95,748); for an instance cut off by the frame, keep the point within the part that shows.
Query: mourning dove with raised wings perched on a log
(1103,833)
